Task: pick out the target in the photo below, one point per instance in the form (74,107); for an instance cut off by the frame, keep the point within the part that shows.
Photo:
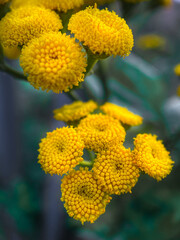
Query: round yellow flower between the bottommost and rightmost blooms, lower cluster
(115,170)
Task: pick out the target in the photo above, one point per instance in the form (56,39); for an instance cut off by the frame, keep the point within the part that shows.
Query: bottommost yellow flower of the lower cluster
(84,198)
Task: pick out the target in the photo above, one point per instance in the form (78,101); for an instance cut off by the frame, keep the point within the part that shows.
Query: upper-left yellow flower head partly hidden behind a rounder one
(21,25)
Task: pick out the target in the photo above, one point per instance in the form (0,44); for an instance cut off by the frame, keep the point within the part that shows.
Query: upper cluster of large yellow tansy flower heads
(55,61)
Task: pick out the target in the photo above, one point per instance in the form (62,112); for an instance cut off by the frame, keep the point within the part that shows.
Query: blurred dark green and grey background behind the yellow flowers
(30,206)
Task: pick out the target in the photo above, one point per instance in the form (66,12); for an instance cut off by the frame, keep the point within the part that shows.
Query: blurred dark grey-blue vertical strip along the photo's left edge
(8,130)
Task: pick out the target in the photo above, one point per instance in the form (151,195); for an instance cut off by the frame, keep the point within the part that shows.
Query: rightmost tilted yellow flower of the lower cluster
(151,156)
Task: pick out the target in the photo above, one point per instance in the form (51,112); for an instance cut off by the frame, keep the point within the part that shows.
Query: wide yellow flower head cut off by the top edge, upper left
(60,5)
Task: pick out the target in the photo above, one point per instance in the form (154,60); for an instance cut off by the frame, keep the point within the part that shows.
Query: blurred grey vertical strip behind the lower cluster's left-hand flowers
(53,211)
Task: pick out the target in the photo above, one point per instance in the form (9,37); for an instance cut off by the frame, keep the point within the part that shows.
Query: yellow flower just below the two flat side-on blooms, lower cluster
(100,131)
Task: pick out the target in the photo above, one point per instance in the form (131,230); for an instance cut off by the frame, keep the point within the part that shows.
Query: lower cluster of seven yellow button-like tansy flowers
(90,182)
